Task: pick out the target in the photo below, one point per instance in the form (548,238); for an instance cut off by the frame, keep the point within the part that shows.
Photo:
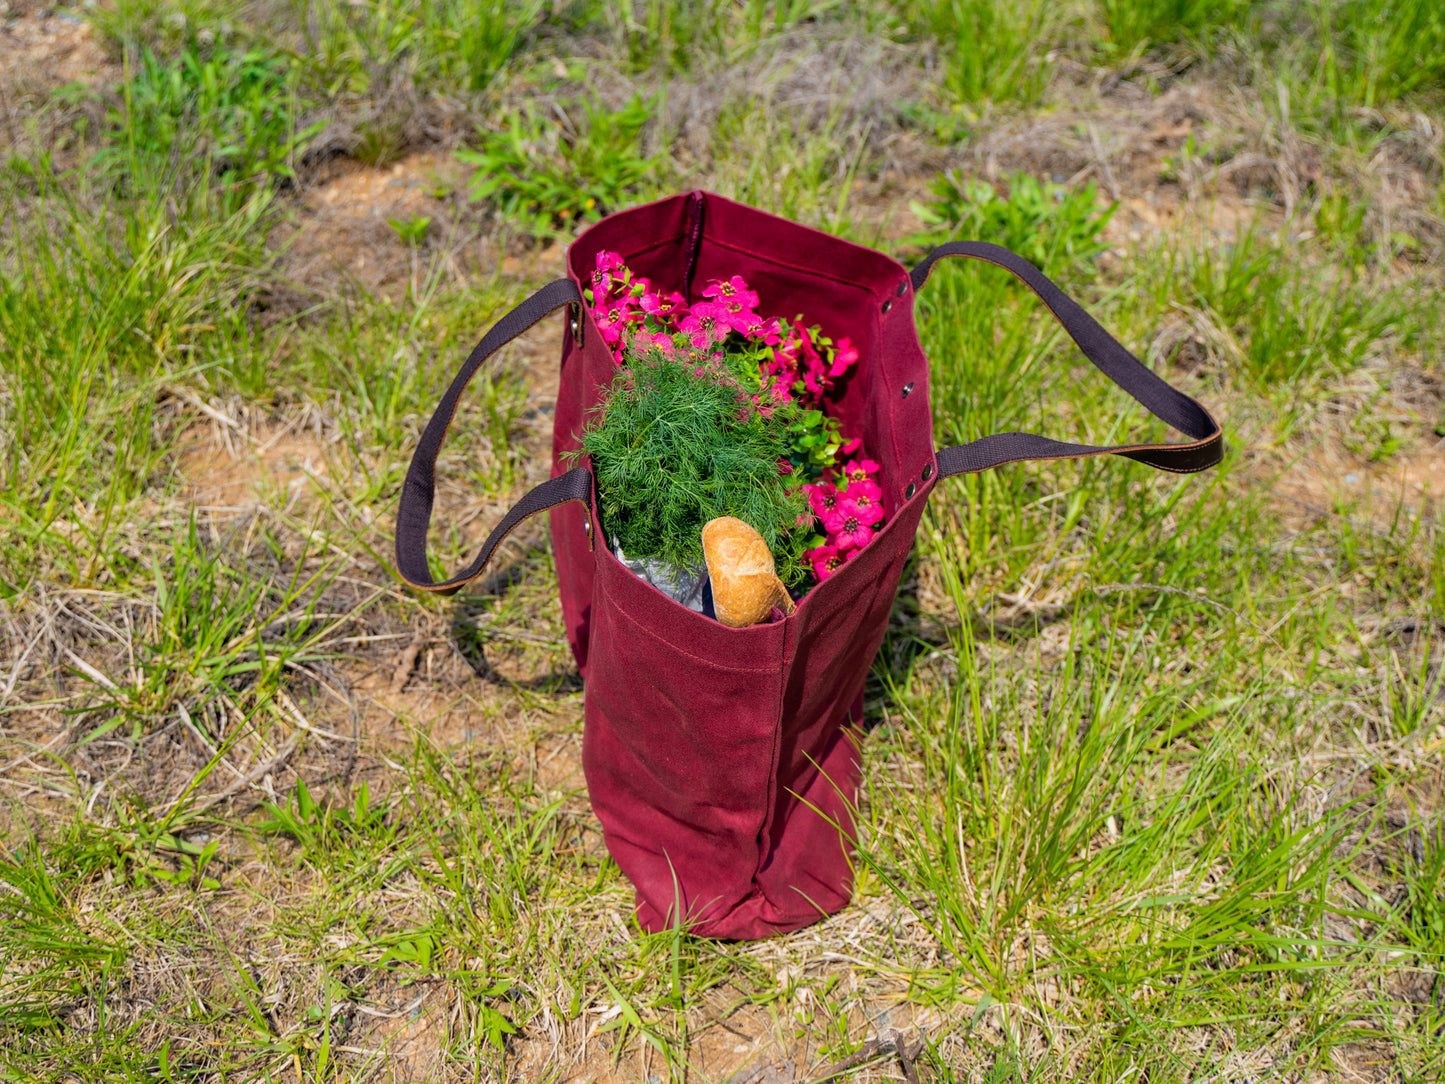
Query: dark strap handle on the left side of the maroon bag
(418,492)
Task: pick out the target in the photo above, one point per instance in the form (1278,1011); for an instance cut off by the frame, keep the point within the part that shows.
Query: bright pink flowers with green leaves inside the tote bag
(794,365)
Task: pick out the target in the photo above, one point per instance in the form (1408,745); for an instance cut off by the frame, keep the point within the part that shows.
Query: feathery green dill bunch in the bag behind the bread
(676,444)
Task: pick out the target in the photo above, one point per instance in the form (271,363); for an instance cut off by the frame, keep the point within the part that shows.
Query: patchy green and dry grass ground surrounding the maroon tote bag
(1154,774)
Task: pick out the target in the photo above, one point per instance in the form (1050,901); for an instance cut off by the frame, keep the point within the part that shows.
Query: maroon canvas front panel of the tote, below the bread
(681,744)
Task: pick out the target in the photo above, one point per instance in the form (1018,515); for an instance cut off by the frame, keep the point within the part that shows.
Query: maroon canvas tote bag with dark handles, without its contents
(725,764)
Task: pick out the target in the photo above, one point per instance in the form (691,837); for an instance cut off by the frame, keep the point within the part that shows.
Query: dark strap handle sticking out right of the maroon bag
(1110,358)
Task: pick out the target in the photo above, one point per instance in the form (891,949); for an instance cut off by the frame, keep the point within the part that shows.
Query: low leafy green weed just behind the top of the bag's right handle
(1048,225)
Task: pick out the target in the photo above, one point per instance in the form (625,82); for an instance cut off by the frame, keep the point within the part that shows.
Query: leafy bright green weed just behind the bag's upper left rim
(544,174)
